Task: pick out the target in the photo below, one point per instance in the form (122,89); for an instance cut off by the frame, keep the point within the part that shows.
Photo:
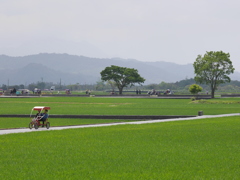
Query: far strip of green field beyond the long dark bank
(118,106)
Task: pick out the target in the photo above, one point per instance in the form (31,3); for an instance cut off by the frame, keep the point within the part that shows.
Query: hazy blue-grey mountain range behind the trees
(72,69)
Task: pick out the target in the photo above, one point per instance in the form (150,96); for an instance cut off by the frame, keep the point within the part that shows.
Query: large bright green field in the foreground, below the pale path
(199,149)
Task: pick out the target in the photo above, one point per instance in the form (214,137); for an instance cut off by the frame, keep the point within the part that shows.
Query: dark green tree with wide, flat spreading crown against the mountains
(122,76)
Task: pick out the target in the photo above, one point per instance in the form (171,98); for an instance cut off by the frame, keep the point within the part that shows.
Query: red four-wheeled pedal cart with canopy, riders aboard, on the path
(40,119)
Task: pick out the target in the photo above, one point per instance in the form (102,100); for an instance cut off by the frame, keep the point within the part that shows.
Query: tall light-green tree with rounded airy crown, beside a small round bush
(213,69)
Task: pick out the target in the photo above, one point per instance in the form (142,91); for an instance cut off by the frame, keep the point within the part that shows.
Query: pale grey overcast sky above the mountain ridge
(146,30)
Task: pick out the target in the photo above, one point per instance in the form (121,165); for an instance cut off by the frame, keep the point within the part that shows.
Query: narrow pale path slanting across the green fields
(24,130)
